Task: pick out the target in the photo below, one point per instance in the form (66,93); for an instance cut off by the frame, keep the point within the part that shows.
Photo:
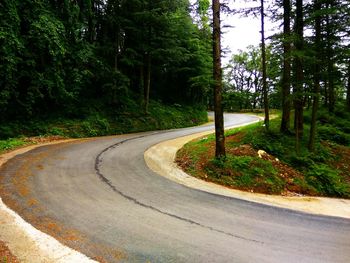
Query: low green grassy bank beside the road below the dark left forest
(100,123)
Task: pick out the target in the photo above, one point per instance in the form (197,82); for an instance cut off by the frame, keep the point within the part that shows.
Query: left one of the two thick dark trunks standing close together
(286,82)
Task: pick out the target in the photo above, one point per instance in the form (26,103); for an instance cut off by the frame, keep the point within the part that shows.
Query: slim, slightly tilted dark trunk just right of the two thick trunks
(316,91)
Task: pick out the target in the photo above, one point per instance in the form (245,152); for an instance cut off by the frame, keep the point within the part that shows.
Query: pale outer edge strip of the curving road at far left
(26,242)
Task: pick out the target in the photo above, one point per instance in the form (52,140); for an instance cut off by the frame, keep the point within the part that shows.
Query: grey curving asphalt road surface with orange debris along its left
(99,197)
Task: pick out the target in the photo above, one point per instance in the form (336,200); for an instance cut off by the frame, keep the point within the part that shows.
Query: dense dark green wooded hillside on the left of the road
(115,59)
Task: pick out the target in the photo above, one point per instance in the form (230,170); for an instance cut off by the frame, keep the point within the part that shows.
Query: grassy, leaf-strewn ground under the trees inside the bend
(323,172)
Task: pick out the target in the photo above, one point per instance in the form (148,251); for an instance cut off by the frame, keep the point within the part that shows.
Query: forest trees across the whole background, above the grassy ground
(71,58)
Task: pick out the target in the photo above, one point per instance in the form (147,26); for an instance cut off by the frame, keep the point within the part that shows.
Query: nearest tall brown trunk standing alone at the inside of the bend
(217,74)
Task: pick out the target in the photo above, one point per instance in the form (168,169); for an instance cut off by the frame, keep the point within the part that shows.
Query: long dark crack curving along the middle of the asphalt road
(98,161)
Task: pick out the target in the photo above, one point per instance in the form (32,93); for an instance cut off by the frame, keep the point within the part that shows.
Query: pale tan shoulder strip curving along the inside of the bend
(161,159)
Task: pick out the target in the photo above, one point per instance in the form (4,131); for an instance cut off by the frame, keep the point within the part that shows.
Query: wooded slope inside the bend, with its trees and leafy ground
(302,69)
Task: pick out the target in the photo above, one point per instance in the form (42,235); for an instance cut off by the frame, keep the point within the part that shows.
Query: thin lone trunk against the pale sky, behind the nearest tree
(263,55)
